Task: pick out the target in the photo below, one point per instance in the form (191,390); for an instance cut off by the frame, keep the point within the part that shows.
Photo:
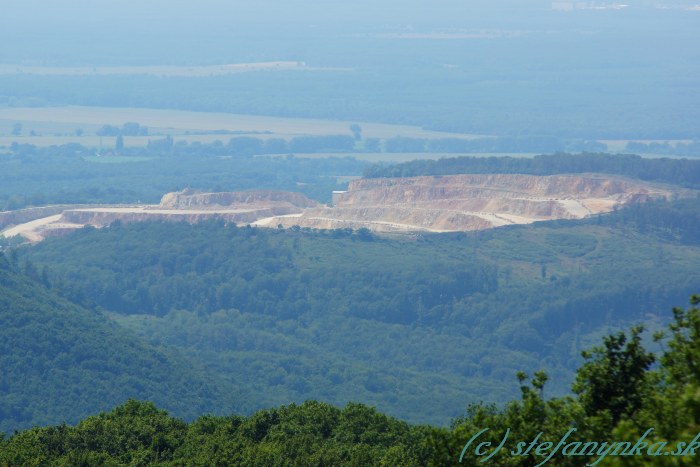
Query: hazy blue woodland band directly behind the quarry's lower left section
(71,173)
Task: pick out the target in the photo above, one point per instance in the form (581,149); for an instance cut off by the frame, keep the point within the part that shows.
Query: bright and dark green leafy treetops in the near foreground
(624,413)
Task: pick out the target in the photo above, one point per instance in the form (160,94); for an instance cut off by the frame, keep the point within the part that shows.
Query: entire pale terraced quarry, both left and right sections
(396,205)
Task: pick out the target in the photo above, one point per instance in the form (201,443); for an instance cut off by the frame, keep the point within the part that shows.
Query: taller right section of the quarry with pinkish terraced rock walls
(473,201)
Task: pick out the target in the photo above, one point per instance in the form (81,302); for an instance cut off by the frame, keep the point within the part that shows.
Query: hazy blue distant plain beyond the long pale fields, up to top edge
(591,69)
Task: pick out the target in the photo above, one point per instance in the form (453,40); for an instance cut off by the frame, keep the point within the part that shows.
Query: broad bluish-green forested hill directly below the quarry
(417,328)
